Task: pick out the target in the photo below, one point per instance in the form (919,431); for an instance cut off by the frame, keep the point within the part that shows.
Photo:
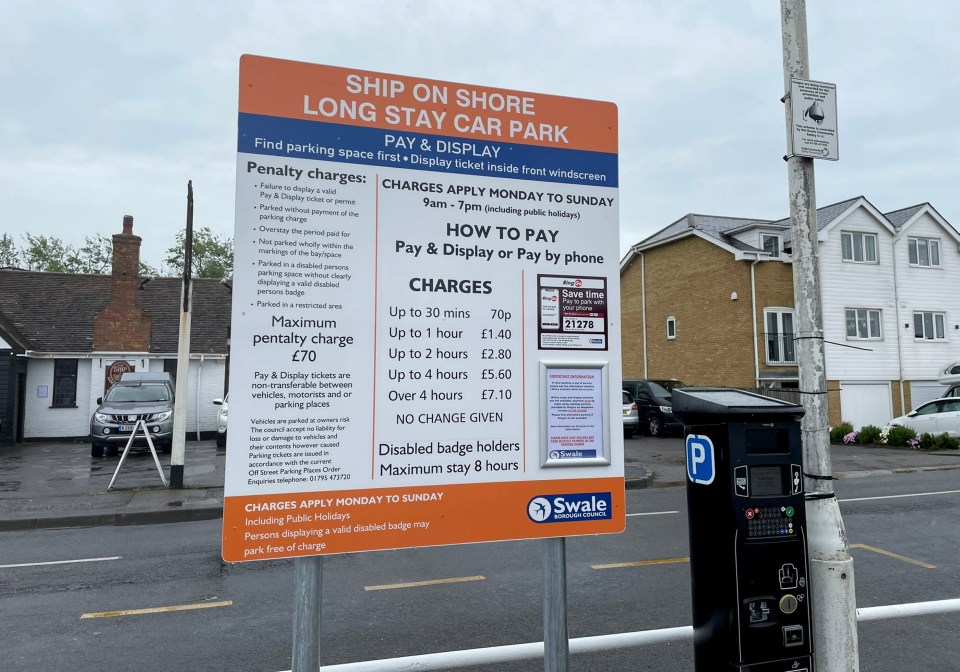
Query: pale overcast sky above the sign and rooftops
(109,107)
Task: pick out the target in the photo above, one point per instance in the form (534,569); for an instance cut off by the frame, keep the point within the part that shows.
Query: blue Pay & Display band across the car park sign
(322,141)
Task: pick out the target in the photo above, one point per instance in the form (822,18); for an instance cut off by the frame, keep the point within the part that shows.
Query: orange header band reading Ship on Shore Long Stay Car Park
(295,90)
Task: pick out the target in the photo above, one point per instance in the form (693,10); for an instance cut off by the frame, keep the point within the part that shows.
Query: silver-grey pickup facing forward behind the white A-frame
(137,396)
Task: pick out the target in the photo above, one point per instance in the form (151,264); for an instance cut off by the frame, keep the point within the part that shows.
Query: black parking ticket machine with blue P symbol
(748,538)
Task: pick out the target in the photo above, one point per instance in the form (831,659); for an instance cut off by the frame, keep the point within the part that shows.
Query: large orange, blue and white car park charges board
(425,343)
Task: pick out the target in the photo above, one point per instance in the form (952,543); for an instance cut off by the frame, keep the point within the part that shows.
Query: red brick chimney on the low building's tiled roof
(123,326)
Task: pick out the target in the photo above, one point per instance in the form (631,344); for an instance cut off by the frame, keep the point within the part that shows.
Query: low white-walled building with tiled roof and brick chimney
(64,336)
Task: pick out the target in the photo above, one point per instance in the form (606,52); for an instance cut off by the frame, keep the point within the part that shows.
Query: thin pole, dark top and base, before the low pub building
(179,447)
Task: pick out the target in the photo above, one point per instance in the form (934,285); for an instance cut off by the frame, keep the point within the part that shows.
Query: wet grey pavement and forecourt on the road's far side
(58,485)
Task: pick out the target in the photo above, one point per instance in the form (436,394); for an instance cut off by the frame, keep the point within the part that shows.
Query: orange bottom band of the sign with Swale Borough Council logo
(262,527)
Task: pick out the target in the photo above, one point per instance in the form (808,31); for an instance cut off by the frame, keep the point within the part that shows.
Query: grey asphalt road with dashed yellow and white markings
(208,615)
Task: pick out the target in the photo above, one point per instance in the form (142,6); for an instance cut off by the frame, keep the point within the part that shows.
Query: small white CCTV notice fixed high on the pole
(813,129)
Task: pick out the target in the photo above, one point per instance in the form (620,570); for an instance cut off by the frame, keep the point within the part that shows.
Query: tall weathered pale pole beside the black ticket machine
(831,567)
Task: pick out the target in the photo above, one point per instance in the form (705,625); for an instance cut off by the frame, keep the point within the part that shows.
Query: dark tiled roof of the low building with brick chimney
(54,312)
